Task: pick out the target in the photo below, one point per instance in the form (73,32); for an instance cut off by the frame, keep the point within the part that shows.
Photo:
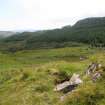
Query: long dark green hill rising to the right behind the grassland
(88,31)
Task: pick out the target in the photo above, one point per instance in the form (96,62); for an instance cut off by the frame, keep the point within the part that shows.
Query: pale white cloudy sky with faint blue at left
(46,14)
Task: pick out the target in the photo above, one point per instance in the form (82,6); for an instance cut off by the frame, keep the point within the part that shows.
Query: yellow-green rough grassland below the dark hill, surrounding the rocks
(27,77)
